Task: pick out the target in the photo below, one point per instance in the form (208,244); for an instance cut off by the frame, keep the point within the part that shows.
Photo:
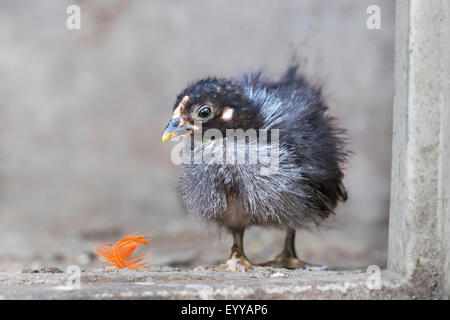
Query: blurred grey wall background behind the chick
(82,112)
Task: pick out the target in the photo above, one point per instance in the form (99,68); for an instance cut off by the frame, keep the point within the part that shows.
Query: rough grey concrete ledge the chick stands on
(174,283)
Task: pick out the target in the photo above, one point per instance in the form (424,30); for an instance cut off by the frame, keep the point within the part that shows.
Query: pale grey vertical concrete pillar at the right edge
(419,231)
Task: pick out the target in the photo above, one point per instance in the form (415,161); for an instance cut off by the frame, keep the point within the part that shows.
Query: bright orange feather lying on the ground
(119,255)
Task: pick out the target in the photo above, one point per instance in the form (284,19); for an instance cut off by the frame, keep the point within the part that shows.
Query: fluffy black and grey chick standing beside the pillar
(228,122)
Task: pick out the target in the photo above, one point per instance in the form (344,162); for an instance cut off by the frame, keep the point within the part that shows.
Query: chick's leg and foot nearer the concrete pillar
(288,257)
